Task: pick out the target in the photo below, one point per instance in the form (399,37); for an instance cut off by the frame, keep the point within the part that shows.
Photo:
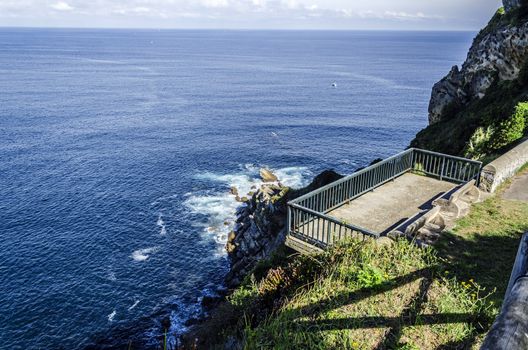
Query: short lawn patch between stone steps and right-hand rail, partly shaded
(483,245)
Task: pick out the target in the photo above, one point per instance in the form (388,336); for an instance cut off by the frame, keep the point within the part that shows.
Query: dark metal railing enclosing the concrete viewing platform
(308,217)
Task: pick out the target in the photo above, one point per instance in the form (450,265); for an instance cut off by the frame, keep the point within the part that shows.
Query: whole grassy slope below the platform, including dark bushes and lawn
(361,295)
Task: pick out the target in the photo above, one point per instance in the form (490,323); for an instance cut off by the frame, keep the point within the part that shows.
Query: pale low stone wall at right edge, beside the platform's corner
(504,167)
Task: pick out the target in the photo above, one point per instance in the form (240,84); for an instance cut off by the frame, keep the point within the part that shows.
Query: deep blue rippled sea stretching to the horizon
(118,148)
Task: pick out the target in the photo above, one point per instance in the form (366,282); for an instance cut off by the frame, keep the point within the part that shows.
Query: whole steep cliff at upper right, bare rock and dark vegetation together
(496,61)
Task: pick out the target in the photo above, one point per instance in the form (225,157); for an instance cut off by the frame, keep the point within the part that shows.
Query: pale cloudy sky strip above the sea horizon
(251,14)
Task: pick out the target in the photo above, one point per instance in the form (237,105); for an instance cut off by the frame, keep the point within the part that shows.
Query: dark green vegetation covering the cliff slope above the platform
(483,126)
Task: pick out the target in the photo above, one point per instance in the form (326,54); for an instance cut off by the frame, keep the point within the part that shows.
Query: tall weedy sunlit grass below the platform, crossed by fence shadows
(367,301)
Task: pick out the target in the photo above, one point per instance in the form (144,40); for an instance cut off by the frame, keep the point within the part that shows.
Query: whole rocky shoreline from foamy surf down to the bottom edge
(259,231)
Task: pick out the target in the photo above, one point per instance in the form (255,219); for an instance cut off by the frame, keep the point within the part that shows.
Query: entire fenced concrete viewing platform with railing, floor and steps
(394,195)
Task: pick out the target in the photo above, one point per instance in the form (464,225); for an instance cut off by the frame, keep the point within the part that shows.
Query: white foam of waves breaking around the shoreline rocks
(220,207)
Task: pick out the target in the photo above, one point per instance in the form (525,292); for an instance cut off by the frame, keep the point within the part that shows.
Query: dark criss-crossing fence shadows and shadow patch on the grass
(411,314)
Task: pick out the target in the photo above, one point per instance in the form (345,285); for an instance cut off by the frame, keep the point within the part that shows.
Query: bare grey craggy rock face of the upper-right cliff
(499,52)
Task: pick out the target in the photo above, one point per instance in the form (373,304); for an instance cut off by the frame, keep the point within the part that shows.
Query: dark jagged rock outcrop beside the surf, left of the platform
(261,225)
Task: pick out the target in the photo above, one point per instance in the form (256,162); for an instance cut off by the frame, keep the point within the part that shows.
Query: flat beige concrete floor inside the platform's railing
(392,203)
